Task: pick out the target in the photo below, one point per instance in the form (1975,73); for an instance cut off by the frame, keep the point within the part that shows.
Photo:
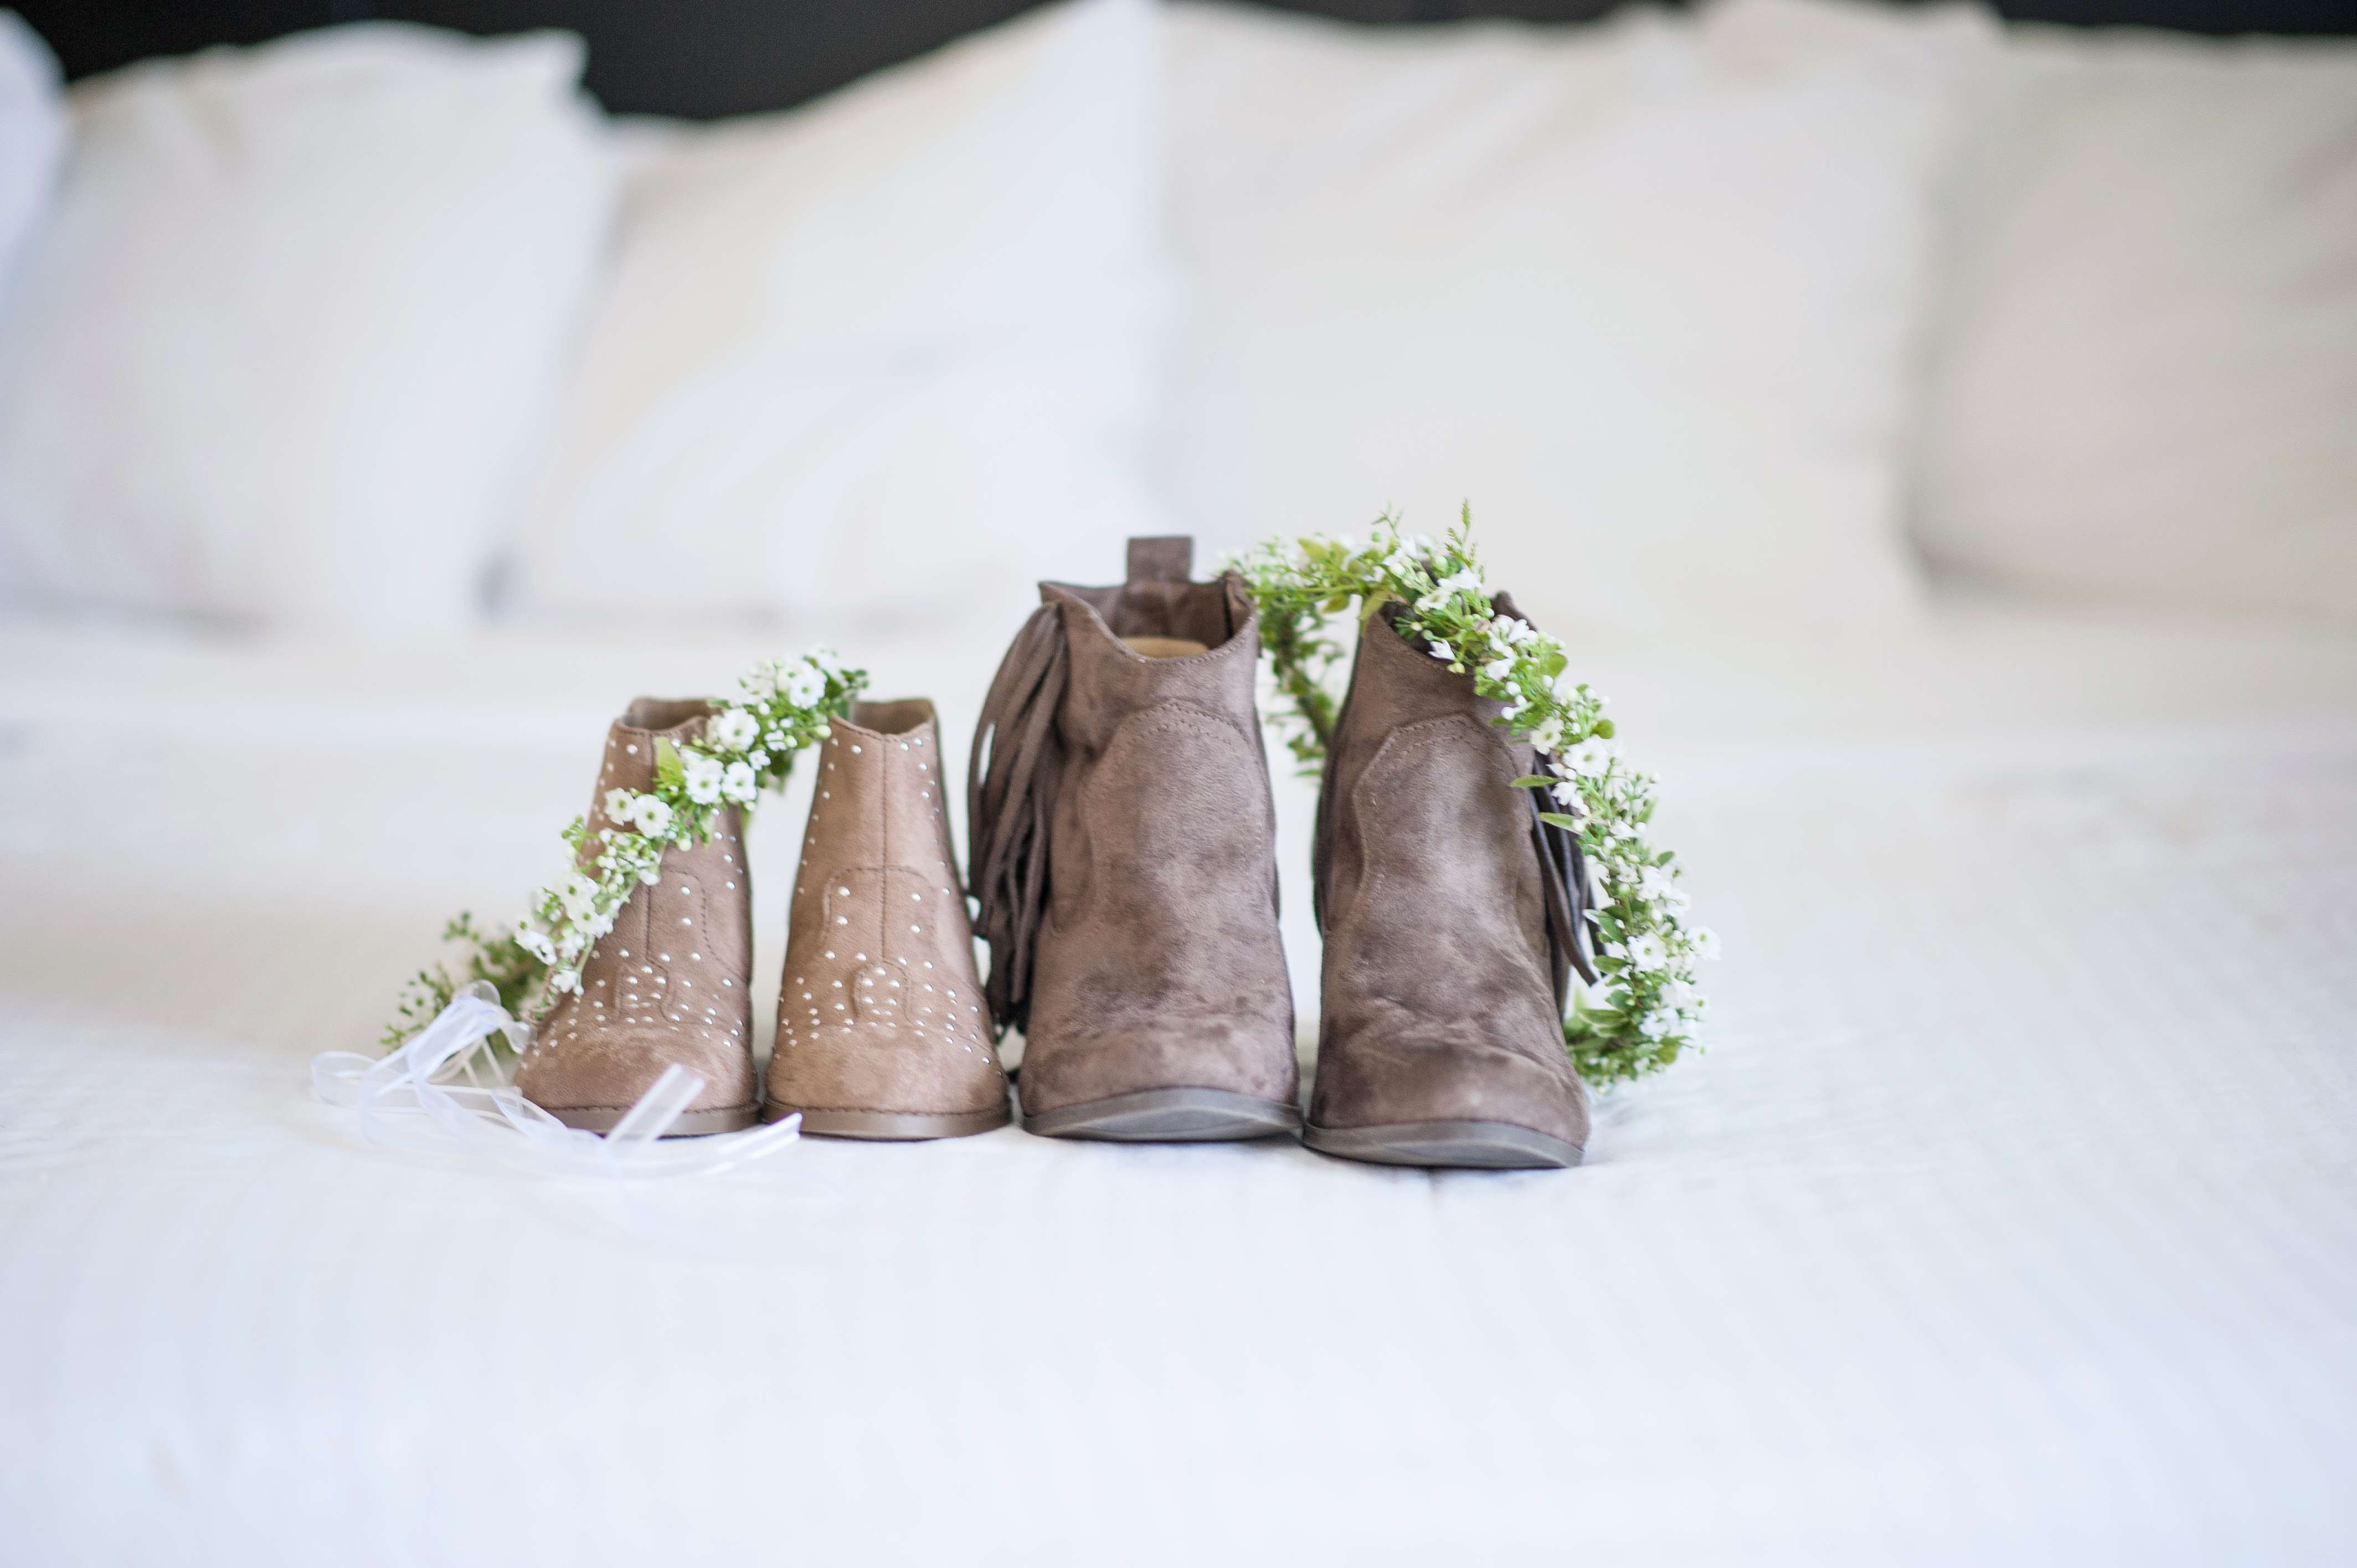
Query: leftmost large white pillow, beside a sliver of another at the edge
(289,343)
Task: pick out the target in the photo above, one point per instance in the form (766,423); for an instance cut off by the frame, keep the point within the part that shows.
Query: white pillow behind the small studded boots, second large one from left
(890,355)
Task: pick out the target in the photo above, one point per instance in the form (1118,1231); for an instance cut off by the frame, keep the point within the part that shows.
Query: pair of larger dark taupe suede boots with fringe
(1128,888)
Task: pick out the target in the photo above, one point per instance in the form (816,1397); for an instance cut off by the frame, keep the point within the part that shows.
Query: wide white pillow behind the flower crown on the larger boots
(1642,294)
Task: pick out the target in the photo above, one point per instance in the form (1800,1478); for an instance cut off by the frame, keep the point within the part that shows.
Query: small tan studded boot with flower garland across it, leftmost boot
(668,982)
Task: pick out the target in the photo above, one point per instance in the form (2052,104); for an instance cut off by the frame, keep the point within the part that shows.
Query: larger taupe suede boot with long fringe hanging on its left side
(1125,862)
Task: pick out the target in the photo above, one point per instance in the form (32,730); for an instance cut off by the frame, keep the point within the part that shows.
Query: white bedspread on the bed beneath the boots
(2009,1218)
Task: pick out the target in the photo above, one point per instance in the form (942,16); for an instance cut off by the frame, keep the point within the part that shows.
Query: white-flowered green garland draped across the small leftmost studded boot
(748,746)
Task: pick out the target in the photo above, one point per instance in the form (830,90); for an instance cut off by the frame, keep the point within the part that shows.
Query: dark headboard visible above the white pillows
(718,58)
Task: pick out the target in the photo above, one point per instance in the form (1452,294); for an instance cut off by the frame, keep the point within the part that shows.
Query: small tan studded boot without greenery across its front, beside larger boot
(880,1013)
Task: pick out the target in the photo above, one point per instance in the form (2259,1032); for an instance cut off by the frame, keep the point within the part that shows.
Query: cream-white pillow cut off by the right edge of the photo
(2148,374)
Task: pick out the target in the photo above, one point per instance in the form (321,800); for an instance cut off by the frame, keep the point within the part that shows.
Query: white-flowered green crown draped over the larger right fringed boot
(1649,1008)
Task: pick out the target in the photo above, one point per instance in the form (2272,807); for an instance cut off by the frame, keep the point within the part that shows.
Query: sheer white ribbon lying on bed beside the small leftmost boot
(444,1091)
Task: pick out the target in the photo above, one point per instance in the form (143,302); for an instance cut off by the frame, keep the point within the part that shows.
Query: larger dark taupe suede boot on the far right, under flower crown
(1451,930)
